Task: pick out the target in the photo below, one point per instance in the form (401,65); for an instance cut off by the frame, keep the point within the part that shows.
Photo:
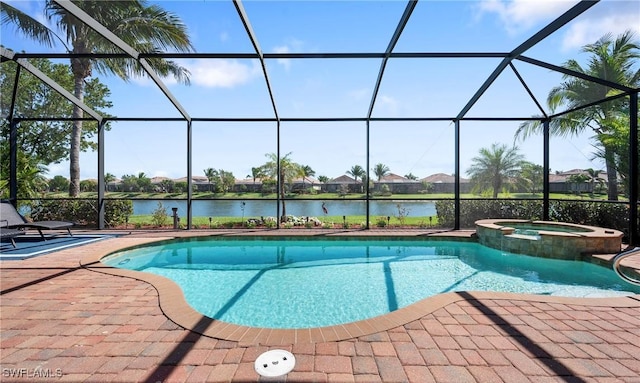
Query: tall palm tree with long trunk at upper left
(146,28)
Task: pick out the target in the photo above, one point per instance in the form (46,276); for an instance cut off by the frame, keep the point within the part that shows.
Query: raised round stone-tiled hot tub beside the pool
(547,239)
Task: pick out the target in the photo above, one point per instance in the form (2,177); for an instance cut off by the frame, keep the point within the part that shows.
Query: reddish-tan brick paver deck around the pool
(62,321)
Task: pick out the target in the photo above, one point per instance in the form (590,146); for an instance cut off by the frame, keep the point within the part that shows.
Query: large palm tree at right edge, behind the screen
(612,60)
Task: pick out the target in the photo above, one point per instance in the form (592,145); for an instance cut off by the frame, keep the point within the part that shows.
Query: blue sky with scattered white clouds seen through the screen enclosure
(303,88)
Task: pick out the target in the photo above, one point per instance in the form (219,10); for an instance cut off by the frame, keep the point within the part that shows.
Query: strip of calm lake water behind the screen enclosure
(259,208)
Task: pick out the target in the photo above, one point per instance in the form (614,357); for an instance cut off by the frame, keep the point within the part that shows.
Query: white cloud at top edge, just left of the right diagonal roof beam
(519,16)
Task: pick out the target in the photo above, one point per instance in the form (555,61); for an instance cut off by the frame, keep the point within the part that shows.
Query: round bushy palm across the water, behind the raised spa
(494,167)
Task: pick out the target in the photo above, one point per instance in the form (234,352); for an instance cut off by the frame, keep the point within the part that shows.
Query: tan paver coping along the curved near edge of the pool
(174,306)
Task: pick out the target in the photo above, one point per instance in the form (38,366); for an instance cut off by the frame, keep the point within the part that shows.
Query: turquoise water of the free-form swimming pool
(302,283)
